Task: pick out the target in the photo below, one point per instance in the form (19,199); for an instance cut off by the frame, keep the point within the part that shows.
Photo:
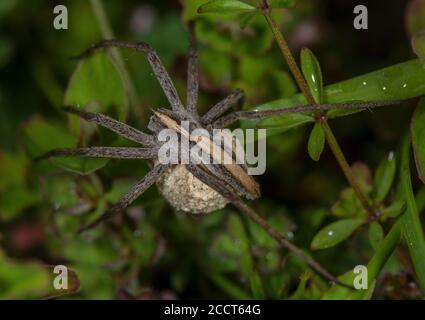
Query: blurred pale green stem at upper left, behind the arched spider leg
(107,34)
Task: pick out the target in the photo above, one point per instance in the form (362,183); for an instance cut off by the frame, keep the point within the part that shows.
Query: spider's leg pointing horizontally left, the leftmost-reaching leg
(103,152)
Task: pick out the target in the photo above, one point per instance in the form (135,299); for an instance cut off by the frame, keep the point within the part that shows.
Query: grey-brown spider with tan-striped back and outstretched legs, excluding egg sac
(230,181)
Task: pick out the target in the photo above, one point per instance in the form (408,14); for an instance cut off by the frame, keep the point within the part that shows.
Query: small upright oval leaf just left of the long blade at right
(384,178)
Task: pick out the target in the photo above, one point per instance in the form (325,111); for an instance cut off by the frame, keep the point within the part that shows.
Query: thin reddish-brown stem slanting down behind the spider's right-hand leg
(302,84)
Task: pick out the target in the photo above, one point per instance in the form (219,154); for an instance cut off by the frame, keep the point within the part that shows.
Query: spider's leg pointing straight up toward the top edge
(192,73)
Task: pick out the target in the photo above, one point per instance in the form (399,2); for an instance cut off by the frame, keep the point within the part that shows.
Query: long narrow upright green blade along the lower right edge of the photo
(412,227)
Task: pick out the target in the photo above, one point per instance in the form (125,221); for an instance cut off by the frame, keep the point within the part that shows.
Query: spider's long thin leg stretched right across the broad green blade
(253,115)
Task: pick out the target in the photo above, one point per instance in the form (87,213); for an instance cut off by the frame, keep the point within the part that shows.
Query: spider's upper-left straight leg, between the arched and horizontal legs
(121,128)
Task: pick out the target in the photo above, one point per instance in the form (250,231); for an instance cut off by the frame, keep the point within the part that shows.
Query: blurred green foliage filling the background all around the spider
(152,251)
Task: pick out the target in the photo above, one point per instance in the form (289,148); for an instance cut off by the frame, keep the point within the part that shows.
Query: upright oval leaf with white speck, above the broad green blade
(312,73)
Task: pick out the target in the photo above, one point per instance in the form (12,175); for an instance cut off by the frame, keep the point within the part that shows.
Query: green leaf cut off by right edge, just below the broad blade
(417,129)
